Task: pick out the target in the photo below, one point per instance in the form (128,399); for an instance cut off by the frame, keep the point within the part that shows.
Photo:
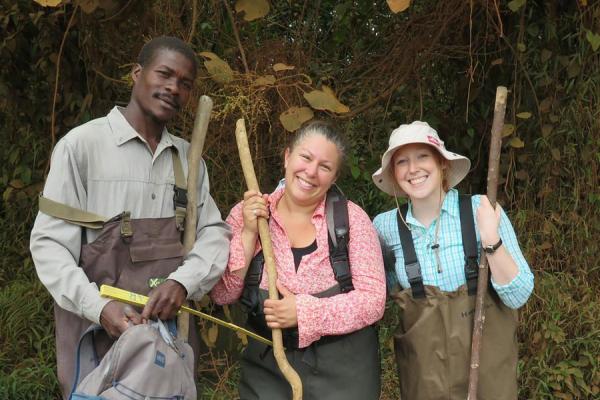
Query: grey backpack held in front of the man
(146,362)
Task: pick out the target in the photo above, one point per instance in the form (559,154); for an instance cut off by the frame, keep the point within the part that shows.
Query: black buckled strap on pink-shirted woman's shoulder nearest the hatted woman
(336,213)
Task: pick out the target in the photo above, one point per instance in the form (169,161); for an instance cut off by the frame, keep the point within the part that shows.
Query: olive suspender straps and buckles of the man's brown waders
(89,220)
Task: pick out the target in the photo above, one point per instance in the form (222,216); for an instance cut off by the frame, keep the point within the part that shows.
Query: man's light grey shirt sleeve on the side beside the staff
(205,263)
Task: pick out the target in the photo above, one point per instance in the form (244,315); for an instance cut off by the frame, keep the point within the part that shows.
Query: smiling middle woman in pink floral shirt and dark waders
(328,330)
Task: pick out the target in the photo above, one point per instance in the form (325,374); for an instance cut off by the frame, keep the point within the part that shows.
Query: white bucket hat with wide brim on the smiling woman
(418,132)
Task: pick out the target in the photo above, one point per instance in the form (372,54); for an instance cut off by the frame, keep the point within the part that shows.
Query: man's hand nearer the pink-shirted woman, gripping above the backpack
(165,300)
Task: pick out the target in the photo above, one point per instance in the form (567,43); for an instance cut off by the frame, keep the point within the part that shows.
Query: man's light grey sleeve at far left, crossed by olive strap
(55,245)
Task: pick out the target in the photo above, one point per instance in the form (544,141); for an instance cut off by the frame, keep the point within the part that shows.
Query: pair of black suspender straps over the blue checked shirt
(469,240)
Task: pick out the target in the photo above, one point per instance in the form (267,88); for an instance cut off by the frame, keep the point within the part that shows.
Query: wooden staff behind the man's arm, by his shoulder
(191,213)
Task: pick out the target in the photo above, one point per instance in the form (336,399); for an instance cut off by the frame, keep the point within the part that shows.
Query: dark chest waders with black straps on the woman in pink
(332,368)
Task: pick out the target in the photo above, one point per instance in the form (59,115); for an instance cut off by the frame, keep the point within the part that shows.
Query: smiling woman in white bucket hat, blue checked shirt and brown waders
(436,240)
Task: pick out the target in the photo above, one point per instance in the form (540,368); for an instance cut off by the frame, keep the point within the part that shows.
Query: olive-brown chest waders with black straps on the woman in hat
(433,342)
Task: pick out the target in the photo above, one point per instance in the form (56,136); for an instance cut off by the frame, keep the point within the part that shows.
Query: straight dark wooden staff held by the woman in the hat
(482,280)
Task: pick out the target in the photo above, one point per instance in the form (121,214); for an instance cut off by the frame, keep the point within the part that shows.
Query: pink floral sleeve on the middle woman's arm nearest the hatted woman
(363,306)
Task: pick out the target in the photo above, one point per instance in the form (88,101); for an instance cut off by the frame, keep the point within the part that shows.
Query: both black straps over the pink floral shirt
(336,213)
